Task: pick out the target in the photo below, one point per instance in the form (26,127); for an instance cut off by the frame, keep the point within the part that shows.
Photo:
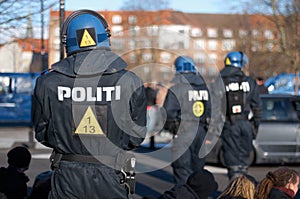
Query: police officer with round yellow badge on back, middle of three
(187,106)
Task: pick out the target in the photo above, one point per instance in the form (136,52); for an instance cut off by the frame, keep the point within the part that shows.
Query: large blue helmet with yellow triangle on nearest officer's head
(84,30)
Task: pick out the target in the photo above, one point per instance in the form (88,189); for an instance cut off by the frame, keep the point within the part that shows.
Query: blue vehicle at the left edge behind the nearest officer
(15,98)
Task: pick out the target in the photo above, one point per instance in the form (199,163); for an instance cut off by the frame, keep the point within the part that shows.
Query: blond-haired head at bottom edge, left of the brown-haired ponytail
(241,187)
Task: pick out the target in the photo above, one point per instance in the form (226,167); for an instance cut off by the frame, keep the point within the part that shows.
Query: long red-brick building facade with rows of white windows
(153,39)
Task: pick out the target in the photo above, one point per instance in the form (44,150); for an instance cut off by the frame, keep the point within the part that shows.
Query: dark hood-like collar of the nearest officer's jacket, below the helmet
(97,61)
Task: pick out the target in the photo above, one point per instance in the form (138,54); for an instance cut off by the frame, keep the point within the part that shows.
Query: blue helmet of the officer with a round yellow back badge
(184,64)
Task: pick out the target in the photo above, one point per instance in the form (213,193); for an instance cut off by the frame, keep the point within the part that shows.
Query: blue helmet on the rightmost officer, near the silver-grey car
(236,59)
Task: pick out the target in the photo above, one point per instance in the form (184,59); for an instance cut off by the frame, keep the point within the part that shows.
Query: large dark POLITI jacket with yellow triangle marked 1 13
(94,80)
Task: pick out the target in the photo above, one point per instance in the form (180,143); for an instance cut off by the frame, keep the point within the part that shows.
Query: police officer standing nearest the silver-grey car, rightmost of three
(242,97)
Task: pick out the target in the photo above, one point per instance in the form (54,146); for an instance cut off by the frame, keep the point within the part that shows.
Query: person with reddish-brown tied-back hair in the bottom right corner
(281,183)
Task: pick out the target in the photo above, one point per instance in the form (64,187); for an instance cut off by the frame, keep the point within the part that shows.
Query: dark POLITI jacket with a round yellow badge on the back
(187,89)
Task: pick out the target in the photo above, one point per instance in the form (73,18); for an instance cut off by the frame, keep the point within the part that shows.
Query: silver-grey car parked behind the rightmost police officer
(278,136)
